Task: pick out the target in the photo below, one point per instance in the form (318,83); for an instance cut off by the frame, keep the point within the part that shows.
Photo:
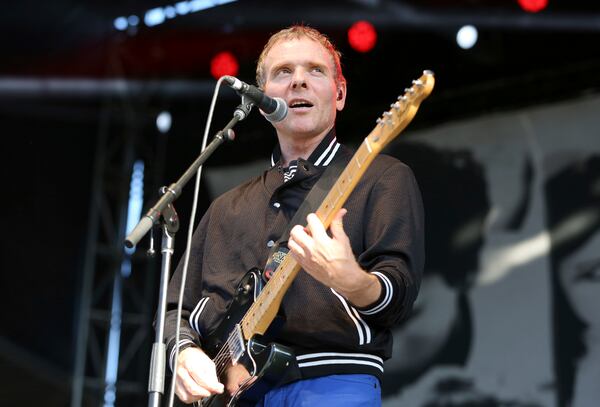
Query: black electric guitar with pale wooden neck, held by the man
(255,305)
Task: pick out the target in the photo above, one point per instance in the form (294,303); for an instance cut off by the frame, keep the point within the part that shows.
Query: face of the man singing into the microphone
(302,73)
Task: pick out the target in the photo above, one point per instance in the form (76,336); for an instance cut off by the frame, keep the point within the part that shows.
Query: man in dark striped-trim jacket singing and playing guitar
(356,282)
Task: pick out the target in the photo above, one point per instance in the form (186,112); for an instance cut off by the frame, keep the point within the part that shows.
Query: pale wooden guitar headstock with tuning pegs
(392,122)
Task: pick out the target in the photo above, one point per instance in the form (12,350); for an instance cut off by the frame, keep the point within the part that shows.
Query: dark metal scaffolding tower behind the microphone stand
(117,296)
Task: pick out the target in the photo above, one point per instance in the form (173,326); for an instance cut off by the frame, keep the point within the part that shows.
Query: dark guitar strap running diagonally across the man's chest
(311,203)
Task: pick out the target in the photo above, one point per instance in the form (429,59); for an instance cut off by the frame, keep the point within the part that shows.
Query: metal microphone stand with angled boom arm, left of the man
(163,213)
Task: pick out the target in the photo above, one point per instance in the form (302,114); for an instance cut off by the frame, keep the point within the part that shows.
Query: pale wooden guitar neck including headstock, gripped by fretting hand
(263,310)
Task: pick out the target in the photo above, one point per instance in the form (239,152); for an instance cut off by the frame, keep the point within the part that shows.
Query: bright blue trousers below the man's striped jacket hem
(347,390)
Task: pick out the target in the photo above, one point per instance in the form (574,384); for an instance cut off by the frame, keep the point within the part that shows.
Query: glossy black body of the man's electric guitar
(266,362)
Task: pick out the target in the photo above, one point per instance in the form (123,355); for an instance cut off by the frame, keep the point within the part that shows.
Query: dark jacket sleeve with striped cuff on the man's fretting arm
(394,244)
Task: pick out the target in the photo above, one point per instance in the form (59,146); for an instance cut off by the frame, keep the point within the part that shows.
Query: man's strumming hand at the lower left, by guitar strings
(196,376)
